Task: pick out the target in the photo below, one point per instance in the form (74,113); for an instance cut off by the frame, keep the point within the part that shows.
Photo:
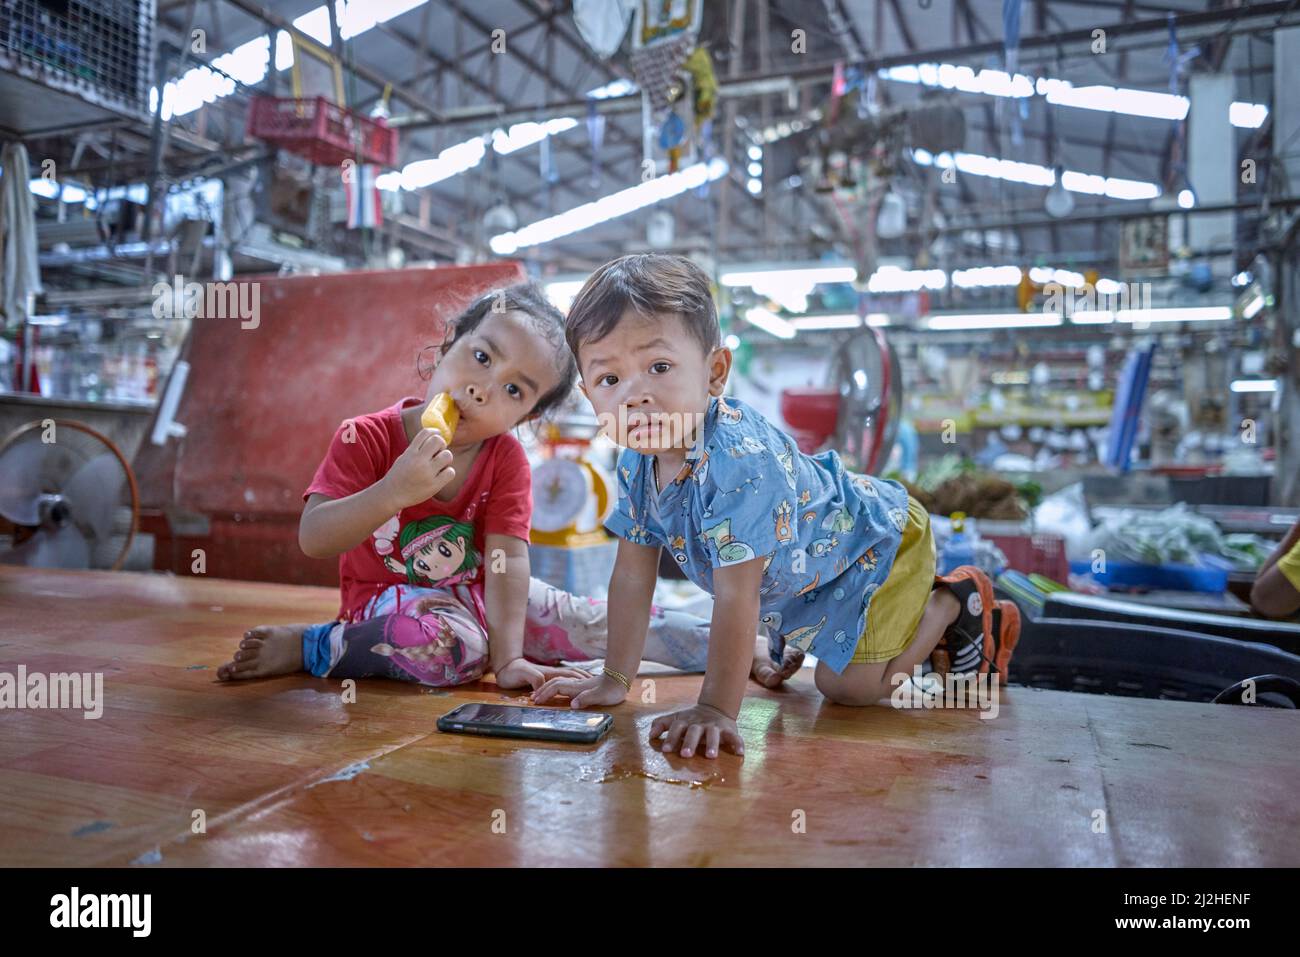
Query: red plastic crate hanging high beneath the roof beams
(322,132)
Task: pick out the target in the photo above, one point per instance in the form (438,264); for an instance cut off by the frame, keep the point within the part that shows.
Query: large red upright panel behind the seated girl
(262,405)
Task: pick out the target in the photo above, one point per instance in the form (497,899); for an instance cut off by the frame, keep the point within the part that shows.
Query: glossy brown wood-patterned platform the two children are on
(287,774)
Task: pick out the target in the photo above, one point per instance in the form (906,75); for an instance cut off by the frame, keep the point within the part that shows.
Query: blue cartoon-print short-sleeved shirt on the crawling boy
(827,536)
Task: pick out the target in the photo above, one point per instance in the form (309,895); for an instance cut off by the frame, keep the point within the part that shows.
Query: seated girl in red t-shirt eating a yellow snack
(434,539)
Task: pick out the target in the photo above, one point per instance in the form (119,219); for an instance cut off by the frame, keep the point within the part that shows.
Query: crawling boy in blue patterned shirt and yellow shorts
(827,561)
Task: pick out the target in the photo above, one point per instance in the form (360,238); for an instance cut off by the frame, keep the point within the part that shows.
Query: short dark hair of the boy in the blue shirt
(649,284)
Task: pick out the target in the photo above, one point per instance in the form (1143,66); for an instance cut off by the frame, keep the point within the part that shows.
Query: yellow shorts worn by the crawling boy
(898,607)
